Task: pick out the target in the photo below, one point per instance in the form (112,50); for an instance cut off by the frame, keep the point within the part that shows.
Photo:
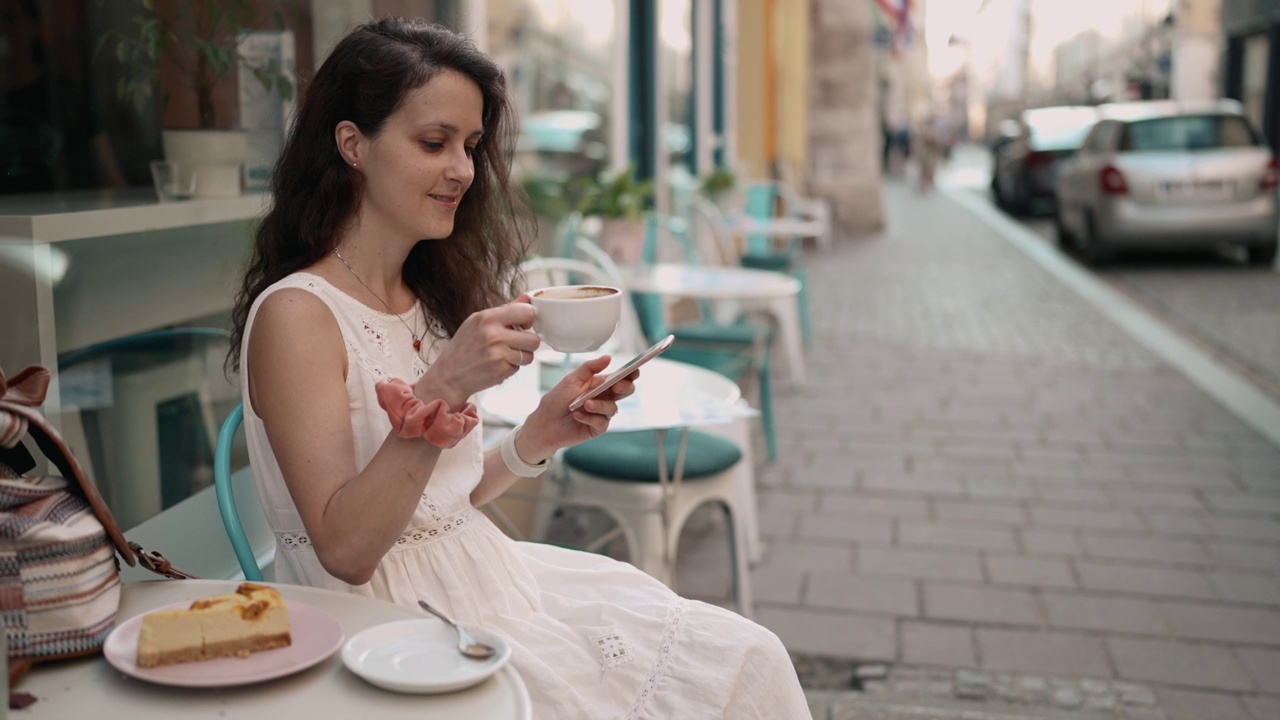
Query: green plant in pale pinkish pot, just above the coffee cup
(620,200)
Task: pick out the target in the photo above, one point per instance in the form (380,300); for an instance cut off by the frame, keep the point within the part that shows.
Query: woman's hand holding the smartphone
(552,426)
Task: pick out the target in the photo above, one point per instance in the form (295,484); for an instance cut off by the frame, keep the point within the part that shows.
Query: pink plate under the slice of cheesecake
(317,636)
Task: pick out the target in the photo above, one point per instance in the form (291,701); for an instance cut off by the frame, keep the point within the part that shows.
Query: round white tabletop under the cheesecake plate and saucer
(92,689)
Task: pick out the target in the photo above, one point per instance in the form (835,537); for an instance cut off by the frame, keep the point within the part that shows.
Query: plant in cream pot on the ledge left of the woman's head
(198,43)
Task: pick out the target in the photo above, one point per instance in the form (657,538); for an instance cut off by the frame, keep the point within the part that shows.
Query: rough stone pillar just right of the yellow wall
(845,134)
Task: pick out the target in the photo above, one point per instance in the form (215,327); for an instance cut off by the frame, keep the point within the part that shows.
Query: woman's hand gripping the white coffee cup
(488,349)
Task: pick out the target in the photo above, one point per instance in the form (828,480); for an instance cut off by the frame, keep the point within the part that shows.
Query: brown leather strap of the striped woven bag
(21,398)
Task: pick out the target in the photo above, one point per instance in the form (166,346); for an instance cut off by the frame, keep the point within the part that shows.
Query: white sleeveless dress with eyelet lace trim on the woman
(595,639)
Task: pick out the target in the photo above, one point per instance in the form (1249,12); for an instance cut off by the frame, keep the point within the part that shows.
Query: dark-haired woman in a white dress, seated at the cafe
(387,257)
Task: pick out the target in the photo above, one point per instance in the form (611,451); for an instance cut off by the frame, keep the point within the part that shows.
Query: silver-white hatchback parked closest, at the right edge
(1169,175)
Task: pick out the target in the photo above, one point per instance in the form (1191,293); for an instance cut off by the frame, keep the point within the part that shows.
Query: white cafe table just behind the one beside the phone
(776,291)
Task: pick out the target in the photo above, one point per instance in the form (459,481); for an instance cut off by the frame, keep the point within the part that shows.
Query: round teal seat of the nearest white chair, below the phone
(633,457)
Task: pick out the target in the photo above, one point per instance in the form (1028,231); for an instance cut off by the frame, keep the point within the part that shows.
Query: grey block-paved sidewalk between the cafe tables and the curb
(988,490)
